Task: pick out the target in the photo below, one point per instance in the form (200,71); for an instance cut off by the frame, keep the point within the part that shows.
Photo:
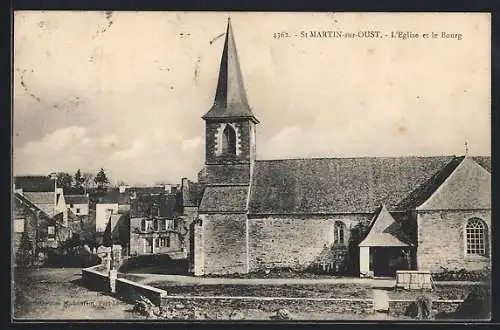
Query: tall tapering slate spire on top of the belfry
(230,97)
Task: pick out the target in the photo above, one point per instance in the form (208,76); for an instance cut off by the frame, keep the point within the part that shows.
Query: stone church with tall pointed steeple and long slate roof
(367,216)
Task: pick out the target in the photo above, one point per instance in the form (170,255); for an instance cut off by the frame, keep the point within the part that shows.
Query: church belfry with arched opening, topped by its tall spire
(229,124)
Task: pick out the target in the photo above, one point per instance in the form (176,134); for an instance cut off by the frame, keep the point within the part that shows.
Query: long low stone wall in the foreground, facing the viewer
(271,304)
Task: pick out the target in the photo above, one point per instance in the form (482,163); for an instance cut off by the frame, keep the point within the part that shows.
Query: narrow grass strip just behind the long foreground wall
(292,290)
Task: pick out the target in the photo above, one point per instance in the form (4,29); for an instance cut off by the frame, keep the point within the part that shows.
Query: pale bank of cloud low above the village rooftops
(146,159)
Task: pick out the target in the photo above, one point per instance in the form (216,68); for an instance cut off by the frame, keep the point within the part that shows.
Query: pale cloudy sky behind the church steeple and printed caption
(125,90)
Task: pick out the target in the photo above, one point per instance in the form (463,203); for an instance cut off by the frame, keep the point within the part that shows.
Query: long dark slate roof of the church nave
(345,185)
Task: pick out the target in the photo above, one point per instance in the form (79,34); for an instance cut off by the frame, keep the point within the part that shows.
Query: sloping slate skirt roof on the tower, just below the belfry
(229,198)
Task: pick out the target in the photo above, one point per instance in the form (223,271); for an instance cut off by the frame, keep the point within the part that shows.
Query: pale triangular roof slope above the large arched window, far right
(467,187)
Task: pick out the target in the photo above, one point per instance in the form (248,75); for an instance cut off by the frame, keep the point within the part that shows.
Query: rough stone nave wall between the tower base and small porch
(294,241)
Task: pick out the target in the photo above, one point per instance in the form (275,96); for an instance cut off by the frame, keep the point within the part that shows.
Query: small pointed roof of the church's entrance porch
(385,231)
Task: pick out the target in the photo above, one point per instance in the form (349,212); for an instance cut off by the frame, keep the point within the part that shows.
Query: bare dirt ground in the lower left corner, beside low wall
(56,293)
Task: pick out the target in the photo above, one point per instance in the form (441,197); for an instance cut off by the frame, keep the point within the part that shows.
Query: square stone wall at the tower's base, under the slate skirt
(224,244)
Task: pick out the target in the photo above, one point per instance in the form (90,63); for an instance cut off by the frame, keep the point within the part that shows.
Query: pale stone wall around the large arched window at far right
(441,240)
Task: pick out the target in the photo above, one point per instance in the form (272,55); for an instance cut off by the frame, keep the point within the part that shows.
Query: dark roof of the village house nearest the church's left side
(141,206)
